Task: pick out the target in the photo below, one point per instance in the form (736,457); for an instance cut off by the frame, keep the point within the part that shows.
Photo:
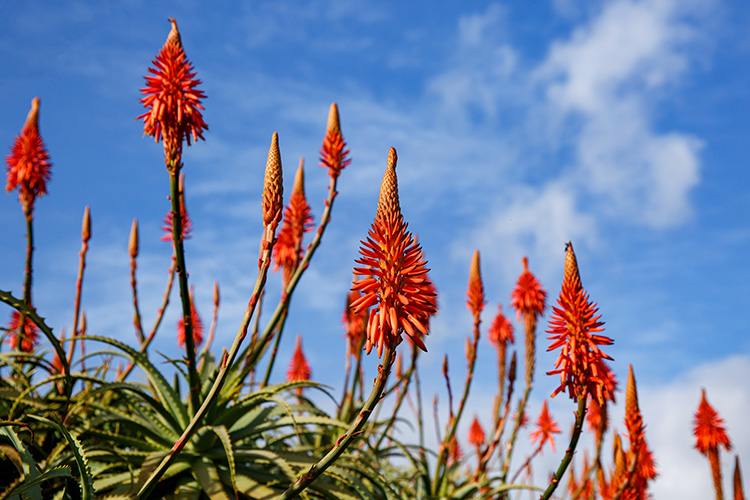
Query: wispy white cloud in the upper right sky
(605,77)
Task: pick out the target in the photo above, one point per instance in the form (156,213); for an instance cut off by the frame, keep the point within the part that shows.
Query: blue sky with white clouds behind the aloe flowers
(621,126)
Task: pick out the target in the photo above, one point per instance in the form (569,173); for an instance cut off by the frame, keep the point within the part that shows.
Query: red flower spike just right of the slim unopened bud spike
(296,222)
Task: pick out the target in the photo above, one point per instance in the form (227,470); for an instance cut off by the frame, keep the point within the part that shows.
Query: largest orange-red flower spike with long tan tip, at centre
(393,277)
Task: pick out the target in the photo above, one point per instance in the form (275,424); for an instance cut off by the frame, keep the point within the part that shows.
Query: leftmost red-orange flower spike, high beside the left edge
(28,164)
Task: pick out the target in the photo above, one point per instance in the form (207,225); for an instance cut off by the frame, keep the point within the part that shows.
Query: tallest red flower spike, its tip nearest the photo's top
(171,96)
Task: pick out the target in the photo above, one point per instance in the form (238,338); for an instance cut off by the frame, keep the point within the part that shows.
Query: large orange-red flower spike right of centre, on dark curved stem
(574,326)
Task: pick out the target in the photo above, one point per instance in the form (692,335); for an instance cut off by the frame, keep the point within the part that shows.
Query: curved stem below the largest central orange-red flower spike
(352,433)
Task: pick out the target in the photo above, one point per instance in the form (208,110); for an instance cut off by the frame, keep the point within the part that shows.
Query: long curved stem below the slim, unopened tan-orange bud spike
(226,364)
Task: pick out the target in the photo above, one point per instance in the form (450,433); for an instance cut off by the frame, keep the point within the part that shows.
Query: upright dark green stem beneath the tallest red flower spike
(182,279)
